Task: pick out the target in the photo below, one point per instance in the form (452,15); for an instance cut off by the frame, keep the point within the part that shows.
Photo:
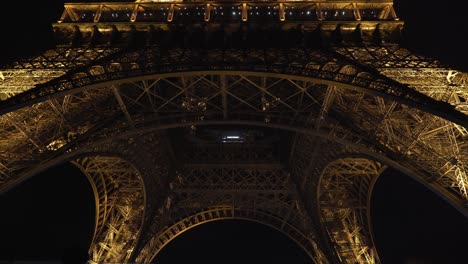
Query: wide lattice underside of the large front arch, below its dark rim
(328,112)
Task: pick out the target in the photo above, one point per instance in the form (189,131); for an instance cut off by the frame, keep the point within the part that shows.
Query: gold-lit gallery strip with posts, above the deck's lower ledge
(214,11)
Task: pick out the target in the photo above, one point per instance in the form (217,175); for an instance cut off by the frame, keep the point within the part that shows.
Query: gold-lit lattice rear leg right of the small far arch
(337,181)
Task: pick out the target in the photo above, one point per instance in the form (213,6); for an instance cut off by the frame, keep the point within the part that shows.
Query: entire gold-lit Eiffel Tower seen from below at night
(286,113)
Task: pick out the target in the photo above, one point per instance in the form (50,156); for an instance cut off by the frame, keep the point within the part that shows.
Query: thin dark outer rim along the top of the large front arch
(345,76)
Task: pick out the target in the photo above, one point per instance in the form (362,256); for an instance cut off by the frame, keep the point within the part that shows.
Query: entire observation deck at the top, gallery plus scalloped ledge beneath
(117,22)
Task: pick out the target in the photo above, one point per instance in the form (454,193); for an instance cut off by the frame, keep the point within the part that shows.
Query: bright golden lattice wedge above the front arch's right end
(423,74)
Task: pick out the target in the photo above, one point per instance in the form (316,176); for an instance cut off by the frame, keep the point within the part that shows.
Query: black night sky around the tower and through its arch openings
(51,216)
